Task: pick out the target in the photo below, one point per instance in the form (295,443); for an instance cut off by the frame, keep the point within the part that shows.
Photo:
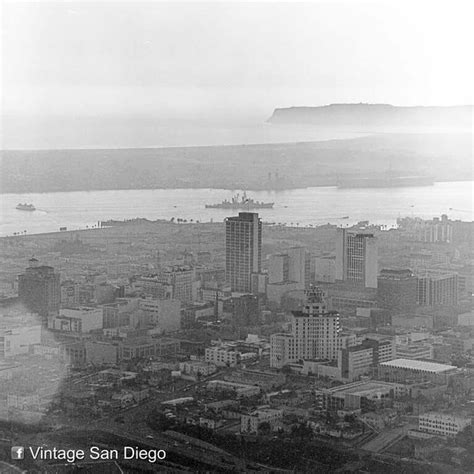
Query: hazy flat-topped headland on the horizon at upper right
(379,115)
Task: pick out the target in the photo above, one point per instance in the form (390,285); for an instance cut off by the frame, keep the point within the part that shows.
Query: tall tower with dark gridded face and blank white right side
(356,258)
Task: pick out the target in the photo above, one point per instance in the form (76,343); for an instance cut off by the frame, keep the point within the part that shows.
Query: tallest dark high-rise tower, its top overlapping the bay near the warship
(243,247)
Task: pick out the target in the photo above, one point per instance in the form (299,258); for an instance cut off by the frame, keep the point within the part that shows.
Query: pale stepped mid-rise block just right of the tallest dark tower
(291,266)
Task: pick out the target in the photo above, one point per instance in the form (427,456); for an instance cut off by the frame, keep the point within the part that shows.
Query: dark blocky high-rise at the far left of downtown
(39,289)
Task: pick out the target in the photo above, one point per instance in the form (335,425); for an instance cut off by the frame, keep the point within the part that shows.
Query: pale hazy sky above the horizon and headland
(177,61)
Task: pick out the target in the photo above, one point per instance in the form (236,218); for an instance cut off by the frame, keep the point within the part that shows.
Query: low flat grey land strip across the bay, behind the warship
(443,156)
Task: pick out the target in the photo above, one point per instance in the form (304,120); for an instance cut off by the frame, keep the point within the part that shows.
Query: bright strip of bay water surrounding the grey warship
(298,207)
